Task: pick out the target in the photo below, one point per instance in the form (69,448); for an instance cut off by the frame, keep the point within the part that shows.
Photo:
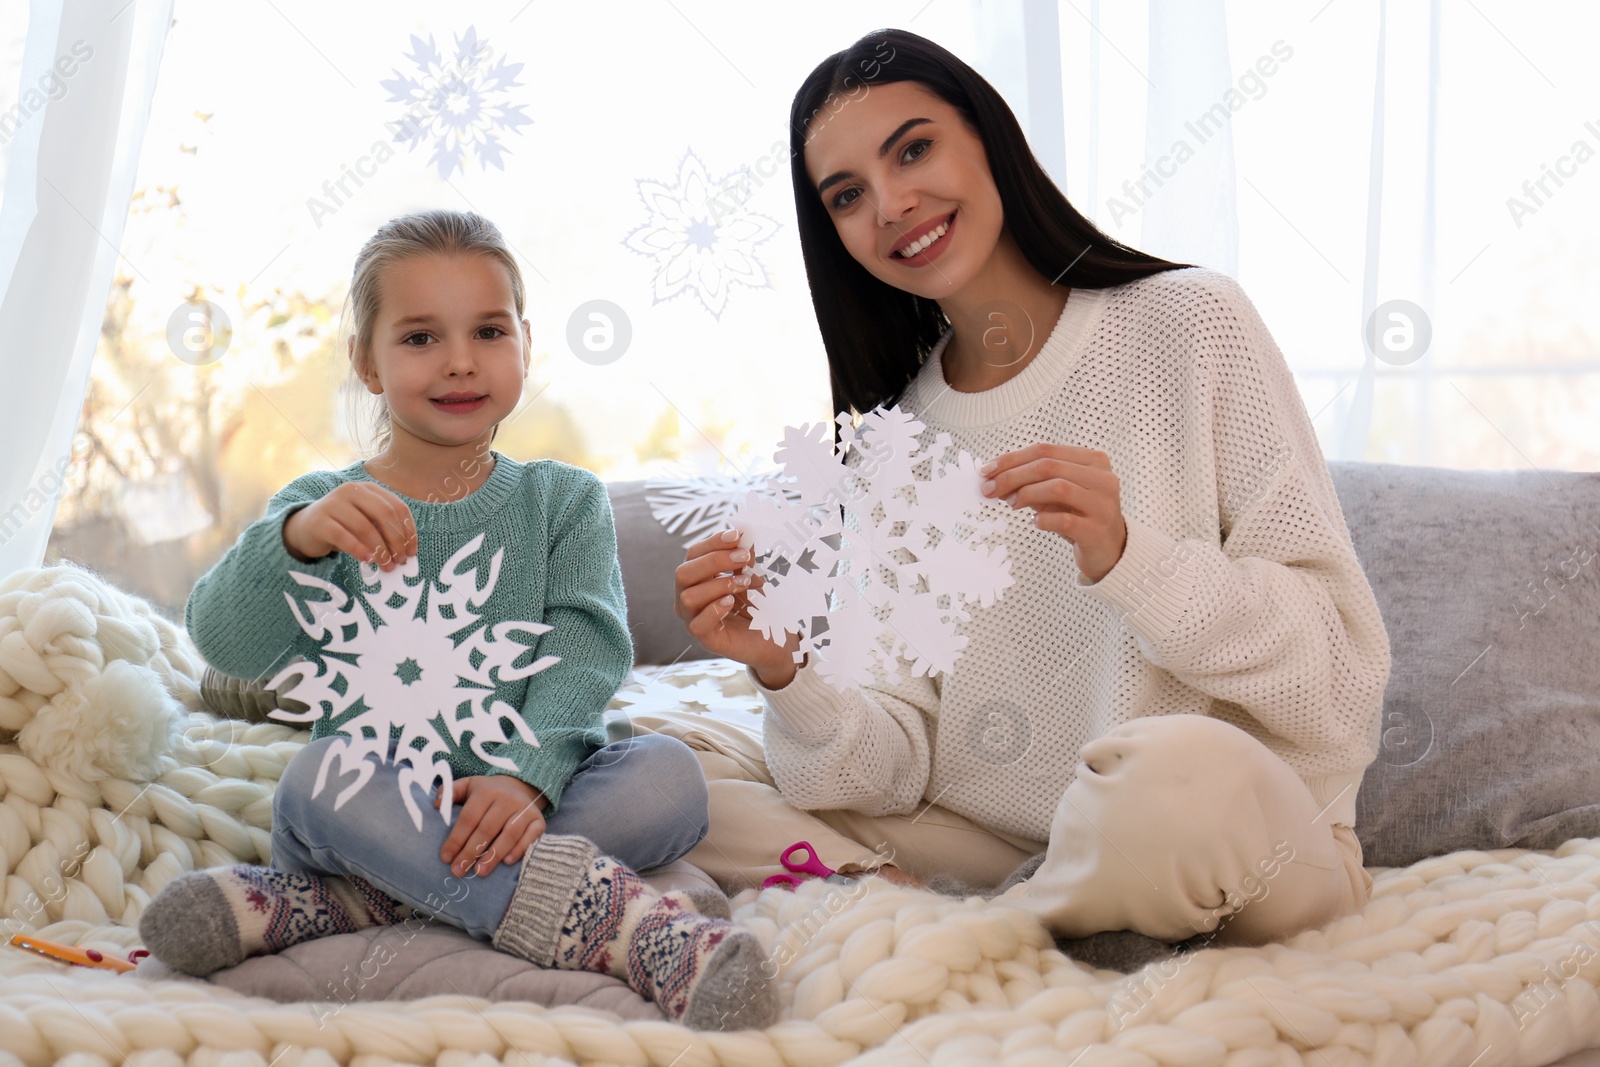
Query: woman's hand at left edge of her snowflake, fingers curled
(716,605)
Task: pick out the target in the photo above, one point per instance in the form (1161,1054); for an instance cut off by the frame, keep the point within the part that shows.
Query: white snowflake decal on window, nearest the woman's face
(702,236)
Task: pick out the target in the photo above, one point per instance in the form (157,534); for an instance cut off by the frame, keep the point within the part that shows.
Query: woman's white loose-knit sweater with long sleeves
(1238,596)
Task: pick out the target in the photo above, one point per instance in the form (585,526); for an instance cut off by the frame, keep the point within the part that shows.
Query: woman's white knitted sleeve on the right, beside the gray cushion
(1279,618)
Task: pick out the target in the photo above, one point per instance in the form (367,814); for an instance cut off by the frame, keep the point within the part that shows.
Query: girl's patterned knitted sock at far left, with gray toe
(215,919)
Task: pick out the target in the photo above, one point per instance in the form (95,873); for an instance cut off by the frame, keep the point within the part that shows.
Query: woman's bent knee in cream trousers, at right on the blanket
(1180,825)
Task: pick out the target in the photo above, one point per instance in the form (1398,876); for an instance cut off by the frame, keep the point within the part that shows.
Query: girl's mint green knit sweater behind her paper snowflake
(561,569)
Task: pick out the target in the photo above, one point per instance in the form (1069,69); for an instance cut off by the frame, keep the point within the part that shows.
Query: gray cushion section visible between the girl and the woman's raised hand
(650,557)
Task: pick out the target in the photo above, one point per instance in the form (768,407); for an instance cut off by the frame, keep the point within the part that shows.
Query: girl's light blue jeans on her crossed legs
(642,801)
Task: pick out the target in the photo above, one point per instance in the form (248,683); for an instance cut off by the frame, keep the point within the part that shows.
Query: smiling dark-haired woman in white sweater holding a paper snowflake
(1180,695)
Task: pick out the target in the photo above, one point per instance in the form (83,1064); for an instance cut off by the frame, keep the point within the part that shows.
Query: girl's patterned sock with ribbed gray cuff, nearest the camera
(577,909)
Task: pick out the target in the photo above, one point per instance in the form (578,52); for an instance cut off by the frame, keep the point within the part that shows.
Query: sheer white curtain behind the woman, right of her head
(1398,186)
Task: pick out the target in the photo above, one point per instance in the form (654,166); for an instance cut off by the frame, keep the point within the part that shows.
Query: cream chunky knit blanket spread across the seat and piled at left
(1473,961)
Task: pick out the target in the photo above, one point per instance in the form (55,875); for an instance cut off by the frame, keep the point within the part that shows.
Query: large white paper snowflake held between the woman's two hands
(882,557)
